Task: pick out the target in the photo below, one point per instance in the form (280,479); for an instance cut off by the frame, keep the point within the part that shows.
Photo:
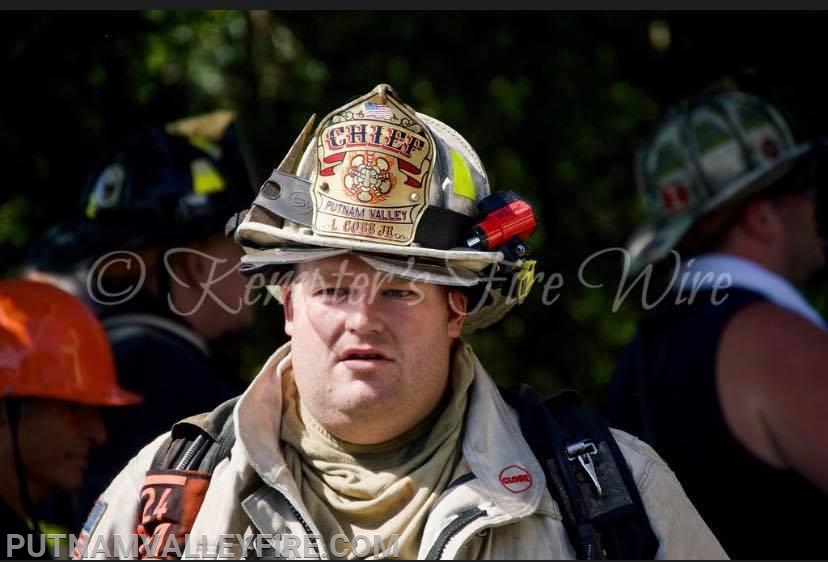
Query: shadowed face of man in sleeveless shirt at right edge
(803,244)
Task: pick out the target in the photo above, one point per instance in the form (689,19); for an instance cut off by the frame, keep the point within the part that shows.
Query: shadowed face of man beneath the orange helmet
(55,439)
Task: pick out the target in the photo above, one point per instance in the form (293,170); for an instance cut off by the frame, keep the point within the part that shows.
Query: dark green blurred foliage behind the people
(554,102)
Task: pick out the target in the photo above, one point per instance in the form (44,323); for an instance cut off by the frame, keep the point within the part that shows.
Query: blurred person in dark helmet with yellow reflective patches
(150,256)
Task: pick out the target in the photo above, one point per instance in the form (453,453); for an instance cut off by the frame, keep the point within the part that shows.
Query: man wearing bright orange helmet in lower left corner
(56,375)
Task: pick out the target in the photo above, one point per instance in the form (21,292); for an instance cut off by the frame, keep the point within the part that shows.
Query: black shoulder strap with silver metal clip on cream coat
(586,474)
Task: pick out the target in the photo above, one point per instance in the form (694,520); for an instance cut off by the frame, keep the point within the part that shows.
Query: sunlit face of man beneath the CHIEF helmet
(370,352)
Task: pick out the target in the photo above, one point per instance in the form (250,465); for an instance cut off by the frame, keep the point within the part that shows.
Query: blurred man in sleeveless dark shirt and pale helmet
(727,377)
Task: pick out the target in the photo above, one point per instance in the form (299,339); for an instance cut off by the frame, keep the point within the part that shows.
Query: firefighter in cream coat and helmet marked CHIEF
(376,421)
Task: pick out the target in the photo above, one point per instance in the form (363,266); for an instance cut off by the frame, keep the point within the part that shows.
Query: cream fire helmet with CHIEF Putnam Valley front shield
(394,187)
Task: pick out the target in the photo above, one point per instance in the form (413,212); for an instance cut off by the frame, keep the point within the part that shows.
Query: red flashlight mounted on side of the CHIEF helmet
(509,220)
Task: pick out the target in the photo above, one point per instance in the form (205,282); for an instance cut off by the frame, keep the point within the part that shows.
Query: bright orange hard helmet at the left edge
(52,346)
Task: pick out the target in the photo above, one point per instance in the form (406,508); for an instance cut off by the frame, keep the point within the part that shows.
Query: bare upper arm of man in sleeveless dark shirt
(772,379)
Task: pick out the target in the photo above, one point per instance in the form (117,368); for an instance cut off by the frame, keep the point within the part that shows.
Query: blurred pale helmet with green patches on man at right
(716,150)
